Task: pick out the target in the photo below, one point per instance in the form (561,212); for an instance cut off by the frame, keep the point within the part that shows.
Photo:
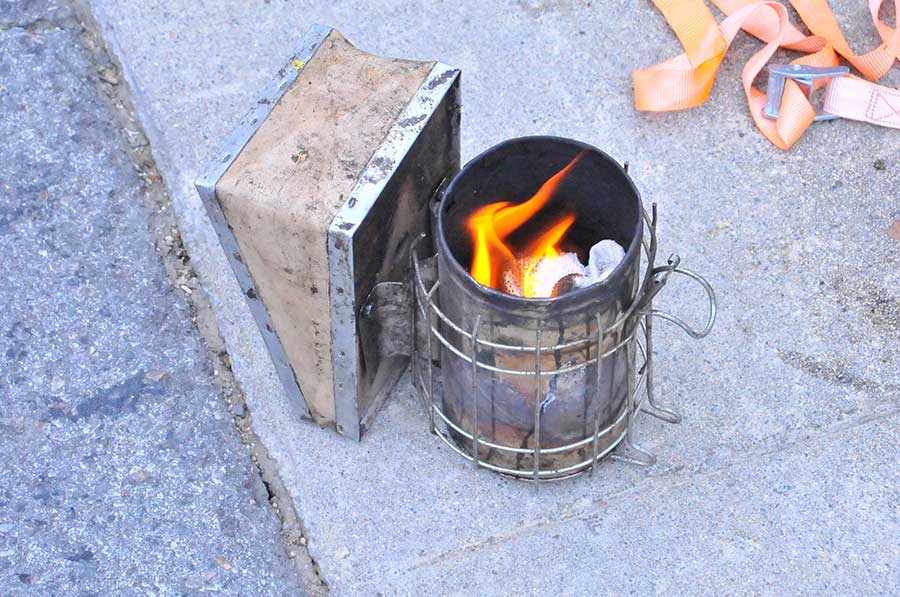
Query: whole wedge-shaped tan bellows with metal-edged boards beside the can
(356,225)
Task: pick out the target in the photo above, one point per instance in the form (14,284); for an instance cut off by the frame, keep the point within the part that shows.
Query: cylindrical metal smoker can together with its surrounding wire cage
(542,388)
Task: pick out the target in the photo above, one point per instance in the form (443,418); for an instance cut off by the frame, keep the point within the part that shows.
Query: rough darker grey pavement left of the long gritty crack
(122,471)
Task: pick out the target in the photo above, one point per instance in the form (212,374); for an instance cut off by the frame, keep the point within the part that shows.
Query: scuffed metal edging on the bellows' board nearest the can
(371,183)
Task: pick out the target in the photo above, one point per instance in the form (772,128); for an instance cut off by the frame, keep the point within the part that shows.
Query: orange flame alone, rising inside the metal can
(490,225)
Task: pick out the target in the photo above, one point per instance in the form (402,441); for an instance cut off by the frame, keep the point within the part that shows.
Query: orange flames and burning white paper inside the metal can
(539,267)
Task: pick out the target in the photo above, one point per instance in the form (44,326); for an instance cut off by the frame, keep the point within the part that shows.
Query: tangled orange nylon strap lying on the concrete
(685,81)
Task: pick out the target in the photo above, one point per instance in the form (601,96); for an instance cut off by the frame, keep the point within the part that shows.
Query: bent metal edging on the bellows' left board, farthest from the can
(206,187)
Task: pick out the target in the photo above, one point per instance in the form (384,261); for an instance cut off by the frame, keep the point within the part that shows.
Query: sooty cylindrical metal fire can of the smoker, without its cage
(552,396)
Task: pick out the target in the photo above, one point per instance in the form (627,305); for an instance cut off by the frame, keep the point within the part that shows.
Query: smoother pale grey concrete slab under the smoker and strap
(783,477)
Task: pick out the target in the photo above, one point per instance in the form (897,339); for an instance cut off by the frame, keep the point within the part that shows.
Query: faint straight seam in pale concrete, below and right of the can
(677,479)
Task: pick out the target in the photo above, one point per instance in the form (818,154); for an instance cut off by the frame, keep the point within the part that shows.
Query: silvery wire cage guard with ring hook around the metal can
(635,328)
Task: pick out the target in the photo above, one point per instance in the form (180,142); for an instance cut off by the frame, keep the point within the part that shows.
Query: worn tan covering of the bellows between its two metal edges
(283,190)
